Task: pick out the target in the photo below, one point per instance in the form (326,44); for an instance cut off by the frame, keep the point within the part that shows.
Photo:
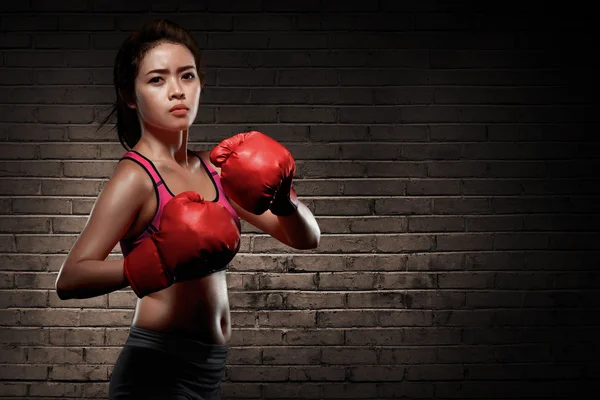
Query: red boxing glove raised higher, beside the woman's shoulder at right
(257,173)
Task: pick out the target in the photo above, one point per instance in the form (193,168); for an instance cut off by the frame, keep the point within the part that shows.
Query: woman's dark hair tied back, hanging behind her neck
(126,68)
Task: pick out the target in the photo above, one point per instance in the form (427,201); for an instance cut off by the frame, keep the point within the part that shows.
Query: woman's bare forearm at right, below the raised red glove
(301,228)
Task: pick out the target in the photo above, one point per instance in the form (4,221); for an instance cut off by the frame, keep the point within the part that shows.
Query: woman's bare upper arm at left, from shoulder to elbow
(112,214)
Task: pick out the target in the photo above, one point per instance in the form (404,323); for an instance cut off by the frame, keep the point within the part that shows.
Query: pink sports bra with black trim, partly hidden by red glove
(164,194)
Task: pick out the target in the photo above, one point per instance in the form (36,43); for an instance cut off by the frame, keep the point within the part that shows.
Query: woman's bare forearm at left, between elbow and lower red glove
(90,278)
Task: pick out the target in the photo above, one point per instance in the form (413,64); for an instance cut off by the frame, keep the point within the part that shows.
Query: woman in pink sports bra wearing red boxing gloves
(176,245)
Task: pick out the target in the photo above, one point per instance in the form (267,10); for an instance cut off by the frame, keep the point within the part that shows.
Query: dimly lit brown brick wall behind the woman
(446,149)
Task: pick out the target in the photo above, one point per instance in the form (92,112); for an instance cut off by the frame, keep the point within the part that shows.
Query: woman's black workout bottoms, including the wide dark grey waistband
(158,365)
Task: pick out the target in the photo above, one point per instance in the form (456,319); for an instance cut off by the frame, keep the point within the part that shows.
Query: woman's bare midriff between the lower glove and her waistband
(197,308)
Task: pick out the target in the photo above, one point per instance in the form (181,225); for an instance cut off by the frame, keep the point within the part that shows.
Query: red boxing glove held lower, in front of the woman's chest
(195,238)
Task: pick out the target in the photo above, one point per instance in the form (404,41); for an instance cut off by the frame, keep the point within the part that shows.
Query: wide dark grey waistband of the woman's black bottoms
(178,345)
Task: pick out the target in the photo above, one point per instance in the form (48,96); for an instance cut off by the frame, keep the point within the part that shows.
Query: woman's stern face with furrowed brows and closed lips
(167,77)
